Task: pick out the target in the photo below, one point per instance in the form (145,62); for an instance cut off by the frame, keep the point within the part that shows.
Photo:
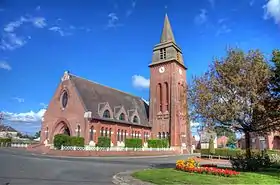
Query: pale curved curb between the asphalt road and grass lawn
(125,178)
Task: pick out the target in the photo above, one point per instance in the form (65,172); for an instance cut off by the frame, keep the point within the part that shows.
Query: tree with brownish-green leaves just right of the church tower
(233,93)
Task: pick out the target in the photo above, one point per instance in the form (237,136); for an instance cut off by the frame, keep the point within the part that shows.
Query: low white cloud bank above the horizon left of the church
(27,117)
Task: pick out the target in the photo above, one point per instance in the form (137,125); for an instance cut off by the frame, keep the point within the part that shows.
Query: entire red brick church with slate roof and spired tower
(84,108)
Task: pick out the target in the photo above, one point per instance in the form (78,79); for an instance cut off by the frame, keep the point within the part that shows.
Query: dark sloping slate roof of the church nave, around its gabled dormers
(95,95)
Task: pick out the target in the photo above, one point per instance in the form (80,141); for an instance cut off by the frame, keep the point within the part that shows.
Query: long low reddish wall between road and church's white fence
(110,153)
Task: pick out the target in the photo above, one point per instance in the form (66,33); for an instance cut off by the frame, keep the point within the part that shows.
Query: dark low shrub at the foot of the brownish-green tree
(256,162)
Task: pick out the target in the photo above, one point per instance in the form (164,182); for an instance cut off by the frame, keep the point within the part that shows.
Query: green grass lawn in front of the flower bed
(172,176)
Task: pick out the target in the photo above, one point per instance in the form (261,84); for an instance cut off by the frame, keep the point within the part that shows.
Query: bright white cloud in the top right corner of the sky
(272,10)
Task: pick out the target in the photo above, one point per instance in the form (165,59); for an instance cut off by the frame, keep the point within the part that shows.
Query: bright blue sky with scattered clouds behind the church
(111,42)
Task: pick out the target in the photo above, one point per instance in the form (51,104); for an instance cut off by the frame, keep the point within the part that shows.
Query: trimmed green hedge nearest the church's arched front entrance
(65,140)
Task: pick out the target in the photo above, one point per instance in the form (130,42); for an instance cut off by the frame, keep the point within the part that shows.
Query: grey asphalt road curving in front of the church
(18,167)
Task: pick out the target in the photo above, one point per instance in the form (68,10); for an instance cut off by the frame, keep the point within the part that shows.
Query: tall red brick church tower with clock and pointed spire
(168,100)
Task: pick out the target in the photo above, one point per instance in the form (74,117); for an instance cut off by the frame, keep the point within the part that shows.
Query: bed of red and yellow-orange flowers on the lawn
(192,166)
